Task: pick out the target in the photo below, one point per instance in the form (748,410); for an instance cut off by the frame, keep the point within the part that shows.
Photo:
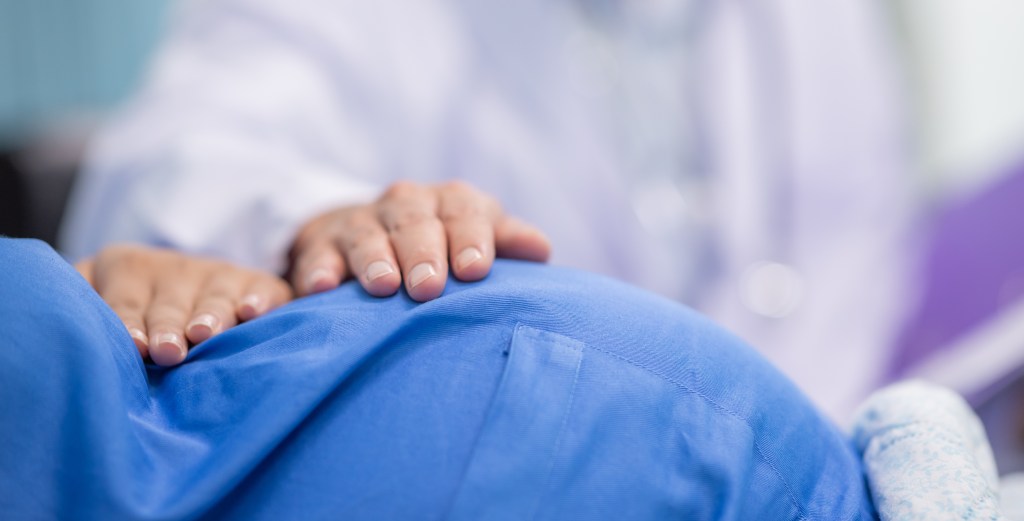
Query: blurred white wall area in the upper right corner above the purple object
(967,67)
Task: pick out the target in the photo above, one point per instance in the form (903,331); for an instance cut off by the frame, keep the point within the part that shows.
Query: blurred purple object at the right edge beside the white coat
(973,270)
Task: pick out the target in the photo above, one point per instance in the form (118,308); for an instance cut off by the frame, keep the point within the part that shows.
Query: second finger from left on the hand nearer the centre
(368,252)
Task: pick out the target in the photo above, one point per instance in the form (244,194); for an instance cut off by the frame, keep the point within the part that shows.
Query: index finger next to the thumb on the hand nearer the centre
(470,222)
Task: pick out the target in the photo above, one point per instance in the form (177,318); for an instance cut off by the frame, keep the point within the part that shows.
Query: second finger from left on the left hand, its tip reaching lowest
(174,299)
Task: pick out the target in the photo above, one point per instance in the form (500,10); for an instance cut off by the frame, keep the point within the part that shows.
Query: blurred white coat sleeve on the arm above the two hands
(237,140)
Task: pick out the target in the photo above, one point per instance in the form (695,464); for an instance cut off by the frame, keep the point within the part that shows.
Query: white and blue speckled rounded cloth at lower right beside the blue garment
(926,456)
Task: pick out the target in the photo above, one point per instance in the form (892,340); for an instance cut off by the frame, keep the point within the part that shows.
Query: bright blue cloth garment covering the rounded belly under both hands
(540,394)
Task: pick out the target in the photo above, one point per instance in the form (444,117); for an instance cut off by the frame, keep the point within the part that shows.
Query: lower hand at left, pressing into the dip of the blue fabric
(167,299)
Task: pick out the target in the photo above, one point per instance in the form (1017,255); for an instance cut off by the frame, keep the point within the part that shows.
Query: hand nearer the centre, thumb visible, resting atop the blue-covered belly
(413,233)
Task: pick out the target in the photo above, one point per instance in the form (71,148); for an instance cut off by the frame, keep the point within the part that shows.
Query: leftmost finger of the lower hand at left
(129,294)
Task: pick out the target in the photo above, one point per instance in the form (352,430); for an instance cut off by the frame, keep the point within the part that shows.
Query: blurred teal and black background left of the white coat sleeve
(64,65)
